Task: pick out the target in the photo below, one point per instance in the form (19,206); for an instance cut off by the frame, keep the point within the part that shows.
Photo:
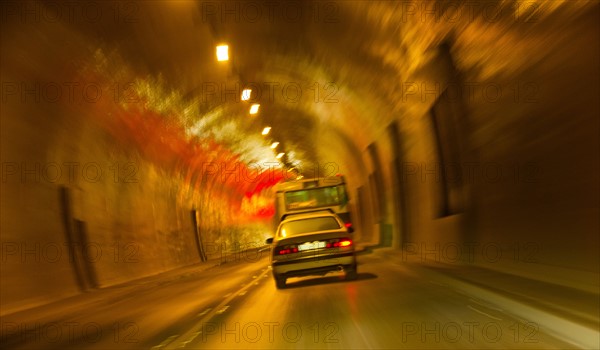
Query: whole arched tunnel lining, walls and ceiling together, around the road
(382,58)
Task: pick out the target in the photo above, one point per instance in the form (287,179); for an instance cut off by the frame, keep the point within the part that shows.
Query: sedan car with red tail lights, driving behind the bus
(312,244)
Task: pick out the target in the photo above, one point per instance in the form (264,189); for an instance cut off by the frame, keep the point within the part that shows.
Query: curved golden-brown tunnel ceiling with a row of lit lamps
(355,53)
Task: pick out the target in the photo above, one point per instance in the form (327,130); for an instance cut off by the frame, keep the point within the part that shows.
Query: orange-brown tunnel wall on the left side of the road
(81,208)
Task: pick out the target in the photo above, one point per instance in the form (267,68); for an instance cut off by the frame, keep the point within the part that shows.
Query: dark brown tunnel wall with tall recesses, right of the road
(518,149)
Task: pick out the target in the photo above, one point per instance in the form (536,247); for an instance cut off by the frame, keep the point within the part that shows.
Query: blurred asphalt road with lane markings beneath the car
(236,305)
